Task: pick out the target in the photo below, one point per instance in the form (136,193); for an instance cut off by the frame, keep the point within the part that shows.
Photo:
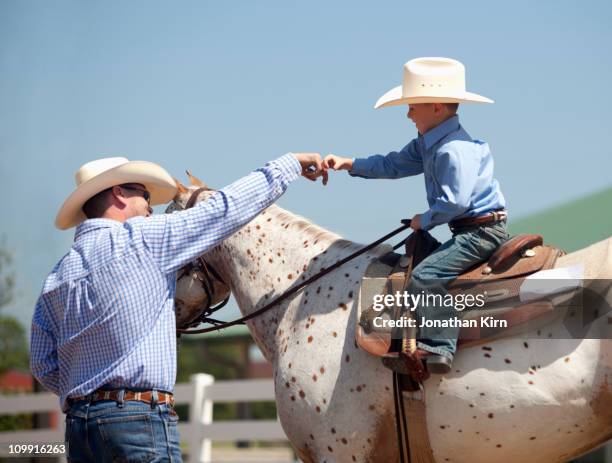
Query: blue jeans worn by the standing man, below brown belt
(105,431)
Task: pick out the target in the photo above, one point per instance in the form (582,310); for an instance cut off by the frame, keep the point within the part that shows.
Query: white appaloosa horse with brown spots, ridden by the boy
(537,398)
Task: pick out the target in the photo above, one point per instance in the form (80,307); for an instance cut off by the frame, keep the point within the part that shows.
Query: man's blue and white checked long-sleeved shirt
(105,316)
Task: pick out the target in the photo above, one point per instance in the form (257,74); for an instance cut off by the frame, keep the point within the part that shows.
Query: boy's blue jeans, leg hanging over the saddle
(462,252)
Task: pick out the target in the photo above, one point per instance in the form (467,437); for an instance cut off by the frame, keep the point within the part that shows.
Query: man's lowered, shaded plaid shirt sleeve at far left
(43,349)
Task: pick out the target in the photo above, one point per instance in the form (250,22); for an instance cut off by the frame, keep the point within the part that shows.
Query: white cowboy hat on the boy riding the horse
(431,80)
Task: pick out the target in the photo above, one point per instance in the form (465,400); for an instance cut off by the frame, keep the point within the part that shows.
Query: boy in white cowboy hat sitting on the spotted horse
(461,190)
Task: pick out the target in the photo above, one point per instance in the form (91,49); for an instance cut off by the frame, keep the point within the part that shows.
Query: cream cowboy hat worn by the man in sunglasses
(98,175)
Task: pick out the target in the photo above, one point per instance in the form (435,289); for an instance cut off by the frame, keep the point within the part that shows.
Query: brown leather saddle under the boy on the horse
(498,279)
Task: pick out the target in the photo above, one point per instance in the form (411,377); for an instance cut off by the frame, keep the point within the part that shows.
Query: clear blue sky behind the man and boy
(221,87)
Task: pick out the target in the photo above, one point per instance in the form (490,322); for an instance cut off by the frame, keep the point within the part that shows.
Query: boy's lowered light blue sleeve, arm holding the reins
(456,175)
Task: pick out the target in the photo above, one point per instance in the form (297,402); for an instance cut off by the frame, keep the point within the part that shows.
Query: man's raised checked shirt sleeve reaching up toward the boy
(178,238)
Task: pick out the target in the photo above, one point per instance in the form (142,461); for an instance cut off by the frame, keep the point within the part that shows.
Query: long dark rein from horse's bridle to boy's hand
(290,291)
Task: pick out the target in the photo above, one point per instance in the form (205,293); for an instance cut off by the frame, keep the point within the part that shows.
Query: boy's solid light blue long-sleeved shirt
(458,172)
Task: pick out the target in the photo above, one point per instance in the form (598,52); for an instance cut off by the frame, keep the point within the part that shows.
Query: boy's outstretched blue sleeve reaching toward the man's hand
(396,164)
